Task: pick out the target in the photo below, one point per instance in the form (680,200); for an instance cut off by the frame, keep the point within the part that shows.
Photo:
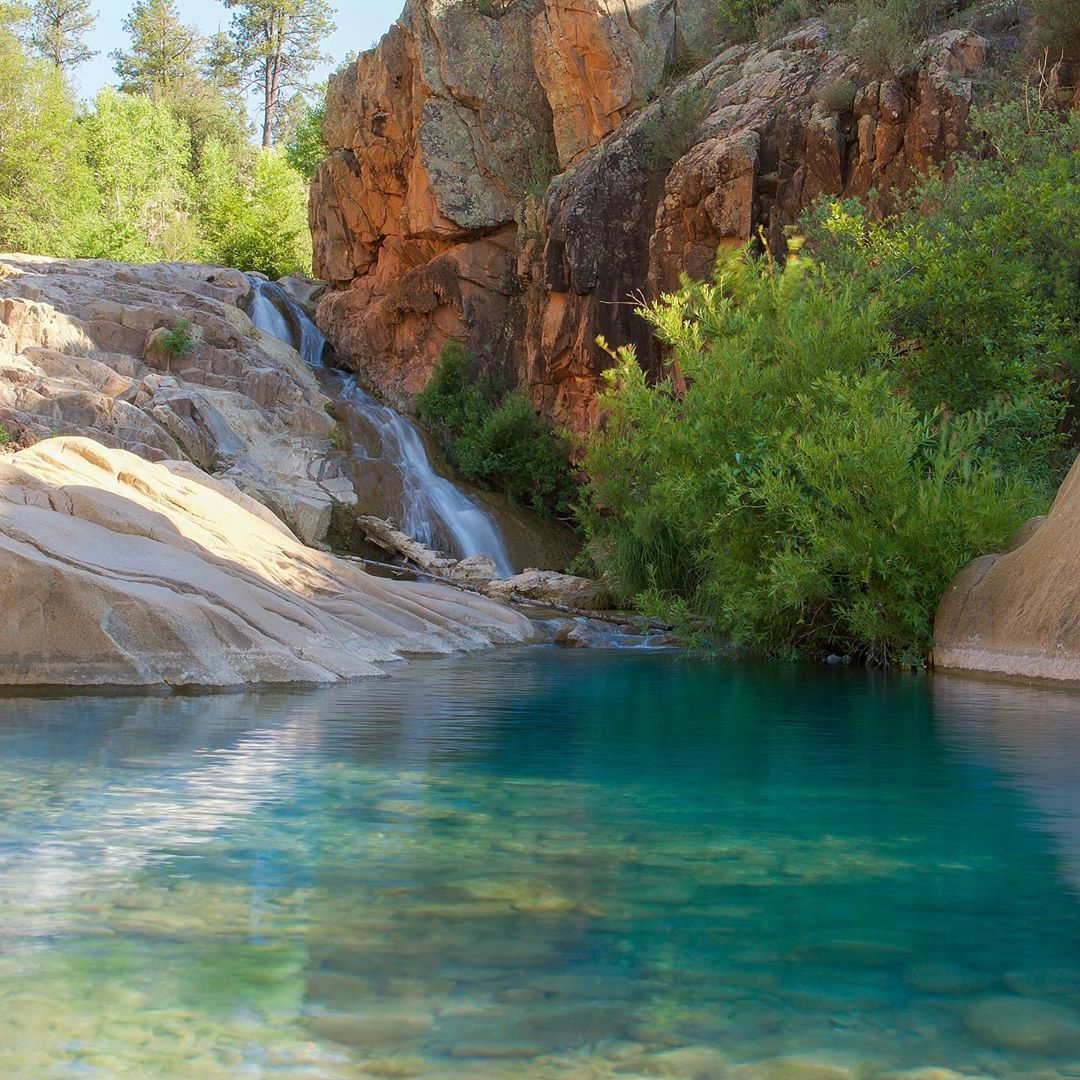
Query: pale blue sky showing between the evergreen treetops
(360,24)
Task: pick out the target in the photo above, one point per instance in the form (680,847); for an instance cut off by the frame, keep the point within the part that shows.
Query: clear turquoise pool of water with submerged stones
(545,863)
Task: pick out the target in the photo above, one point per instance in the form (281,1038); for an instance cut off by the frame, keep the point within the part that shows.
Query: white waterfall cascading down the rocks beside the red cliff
(434,509)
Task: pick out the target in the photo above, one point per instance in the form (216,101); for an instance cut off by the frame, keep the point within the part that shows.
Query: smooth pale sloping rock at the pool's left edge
(116,571)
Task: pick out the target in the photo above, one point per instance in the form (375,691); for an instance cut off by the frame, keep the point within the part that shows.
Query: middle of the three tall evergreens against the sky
(165,55)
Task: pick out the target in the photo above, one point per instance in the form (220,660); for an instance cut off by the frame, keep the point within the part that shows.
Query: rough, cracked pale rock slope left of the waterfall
(84,352)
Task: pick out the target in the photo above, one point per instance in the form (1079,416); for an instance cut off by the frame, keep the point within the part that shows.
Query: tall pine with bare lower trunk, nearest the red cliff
(276,47)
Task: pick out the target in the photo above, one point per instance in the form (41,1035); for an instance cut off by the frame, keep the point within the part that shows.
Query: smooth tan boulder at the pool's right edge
(1019,614)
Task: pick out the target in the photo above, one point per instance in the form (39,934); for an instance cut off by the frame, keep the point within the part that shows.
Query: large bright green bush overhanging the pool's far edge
(792,496)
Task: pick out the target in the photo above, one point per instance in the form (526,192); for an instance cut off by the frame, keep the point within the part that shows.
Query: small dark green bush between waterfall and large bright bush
(497,441)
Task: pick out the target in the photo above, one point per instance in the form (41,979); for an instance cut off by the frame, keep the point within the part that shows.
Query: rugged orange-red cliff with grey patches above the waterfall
(434,218)
